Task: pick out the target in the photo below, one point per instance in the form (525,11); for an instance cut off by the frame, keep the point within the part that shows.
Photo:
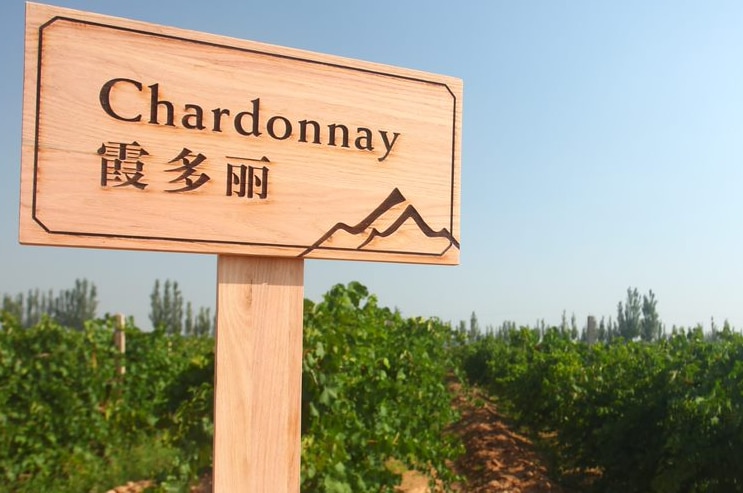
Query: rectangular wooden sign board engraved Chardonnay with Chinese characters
(139,136)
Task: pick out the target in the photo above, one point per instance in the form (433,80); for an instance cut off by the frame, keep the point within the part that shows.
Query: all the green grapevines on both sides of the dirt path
(662,415)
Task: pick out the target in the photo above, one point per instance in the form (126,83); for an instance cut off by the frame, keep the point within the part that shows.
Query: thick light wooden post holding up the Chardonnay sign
(258,374)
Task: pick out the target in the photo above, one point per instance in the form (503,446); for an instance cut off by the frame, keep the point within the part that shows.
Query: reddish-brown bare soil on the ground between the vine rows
(498,459)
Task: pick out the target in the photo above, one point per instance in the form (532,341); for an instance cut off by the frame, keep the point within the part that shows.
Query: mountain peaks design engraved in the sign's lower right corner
(393,218)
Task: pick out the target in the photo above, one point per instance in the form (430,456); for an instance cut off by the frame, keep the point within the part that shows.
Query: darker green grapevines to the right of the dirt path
(629,416)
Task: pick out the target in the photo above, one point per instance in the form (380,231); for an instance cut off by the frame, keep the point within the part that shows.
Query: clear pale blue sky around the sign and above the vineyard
(602,149)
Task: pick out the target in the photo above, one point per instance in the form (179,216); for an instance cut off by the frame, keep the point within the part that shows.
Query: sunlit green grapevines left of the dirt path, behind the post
(374,402)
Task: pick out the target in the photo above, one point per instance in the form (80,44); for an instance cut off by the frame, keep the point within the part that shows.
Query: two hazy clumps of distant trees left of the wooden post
(75,306)
